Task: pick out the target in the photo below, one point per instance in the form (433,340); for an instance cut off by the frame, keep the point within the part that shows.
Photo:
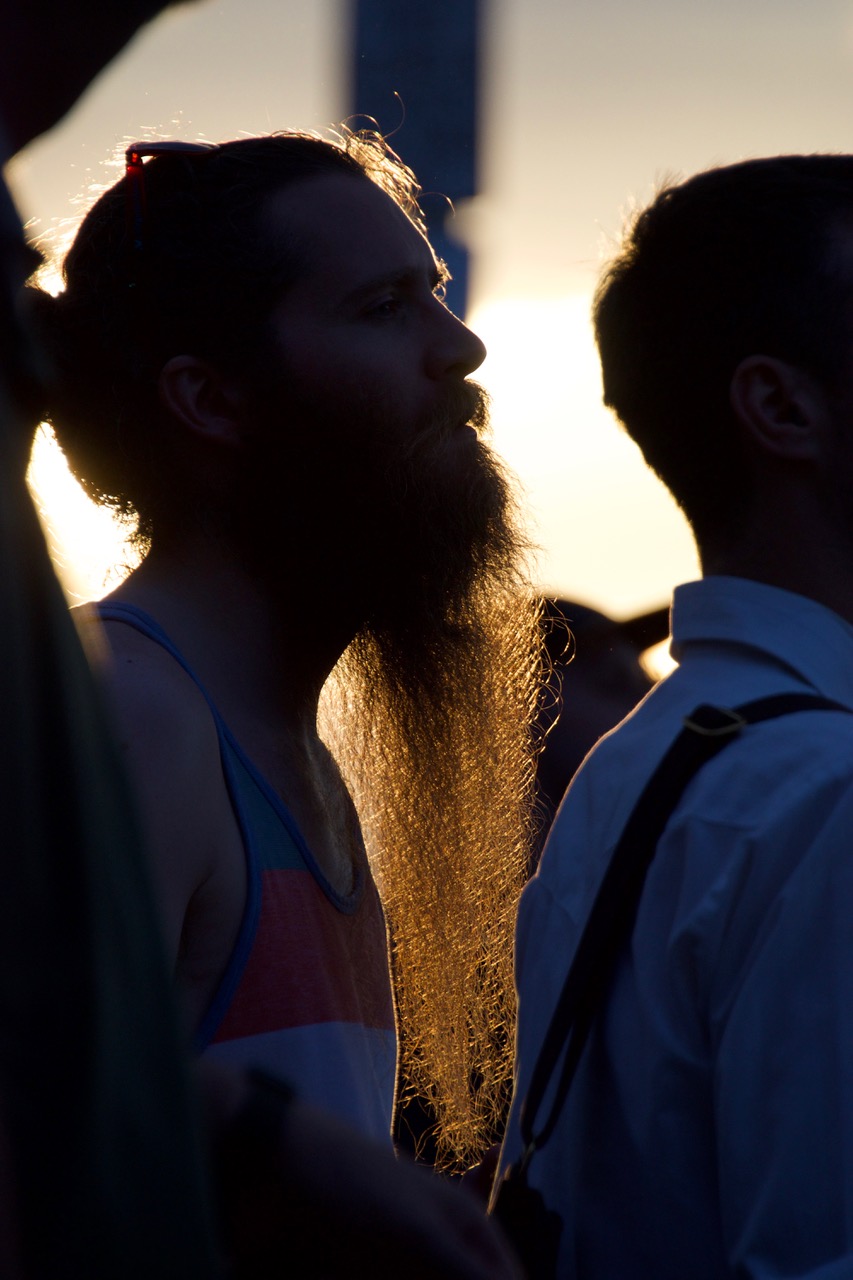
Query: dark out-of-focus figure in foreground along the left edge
(103,1162)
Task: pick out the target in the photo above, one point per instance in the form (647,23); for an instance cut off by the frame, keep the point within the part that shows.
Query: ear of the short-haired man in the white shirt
(779,406)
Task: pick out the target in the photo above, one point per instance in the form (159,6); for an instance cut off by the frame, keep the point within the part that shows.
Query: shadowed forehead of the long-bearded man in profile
(345,234)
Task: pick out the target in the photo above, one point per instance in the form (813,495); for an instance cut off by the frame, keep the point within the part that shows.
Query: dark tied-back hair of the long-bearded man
(204,284)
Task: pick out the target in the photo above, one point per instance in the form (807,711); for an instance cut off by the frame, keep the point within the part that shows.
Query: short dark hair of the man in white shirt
(736,262)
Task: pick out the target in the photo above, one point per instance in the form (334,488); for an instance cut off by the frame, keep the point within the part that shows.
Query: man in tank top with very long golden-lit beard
(253,358)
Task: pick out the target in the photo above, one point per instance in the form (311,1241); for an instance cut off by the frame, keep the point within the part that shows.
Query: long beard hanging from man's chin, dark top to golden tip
(430,714)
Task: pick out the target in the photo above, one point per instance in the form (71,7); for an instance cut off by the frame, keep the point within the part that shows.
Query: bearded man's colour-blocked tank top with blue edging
(307,994)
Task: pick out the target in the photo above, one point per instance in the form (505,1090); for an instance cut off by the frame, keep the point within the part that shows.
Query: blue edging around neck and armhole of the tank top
(229,748)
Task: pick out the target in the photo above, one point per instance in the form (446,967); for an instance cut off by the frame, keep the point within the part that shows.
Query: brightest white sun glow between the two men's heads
(603,520)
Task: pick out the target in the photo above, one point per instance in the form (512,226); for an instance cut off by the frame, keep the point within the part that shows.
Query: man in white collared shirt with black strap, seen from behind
(709,1130)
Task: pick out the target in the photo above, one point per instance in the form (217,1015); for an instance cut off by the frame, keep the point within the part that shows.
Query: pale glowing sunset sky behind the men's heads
(587,106)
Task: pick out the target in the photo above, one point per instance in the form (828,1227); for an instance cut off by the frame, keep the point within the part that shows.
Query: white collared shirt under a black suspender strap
(710,1128)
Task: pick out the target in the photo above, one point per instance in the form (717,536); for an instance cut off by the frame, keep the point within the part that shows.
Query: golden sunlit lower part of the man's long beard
(444,774)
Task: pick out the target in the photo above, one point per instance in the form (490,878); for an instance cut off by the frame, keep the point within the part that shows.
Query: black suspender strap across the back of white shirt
(705,733)
